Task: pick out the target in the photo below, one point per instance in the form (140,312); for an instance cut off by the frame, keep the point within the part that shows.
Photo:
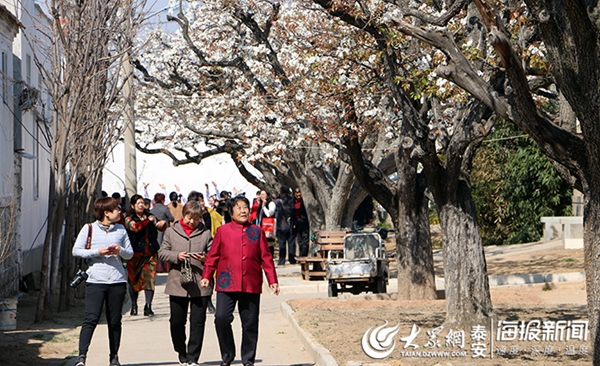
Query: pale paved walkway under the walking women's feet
(146,340)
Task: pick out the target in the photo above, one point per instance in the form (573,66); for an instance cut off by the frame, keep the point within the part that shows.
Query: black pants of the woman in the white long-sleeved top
(96,296)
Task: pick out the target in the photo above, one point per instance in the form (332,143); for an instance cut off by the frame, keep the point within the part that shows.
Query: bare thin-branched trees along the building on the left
(78,53)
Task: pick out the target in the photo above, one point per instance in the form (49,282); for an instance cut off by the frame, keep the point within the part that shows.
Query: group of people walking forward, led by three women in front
(198,250)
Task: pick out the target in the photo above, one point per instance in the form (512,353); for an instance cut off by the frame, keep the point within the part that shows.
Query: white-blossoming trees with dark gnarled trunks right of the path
(313,91)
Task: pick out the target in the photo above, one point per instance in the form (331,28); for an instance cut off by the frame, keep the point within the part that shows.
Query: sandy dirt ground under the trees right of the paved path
(339,324)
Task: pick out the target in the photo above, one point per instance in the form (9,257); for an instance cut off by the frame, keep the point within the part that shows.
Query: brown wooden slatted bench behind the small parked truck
(313,267)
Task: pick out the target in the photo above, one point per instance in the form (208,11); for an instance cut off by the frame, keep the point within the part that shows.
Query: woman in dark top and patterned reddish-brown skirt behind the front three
(142,228)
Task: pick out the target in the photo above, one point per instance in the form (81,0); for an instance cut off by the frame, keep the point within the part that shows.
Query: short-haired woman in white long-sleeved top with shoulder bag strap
(103,245)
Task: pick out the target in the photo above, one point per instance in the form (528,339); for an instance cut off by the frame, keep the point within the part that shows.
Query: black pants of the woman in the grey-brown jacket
(179,311)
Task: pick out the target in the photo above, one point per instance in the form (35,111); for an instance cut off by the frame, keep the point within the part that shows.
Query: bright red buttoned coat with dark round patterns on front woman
(239,254)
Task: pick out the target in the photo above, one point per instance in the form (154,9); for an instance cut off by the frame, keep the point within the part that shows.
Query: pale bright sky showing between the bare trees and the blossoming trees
(159,169)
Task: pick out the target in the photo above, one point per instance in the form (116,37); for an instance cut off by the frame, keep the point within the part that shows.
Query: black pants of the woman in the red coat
(248,307)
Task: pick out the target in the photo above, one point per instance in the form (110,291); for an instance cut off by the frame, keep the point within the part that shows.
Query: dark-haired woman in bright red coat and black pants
(239,254)
